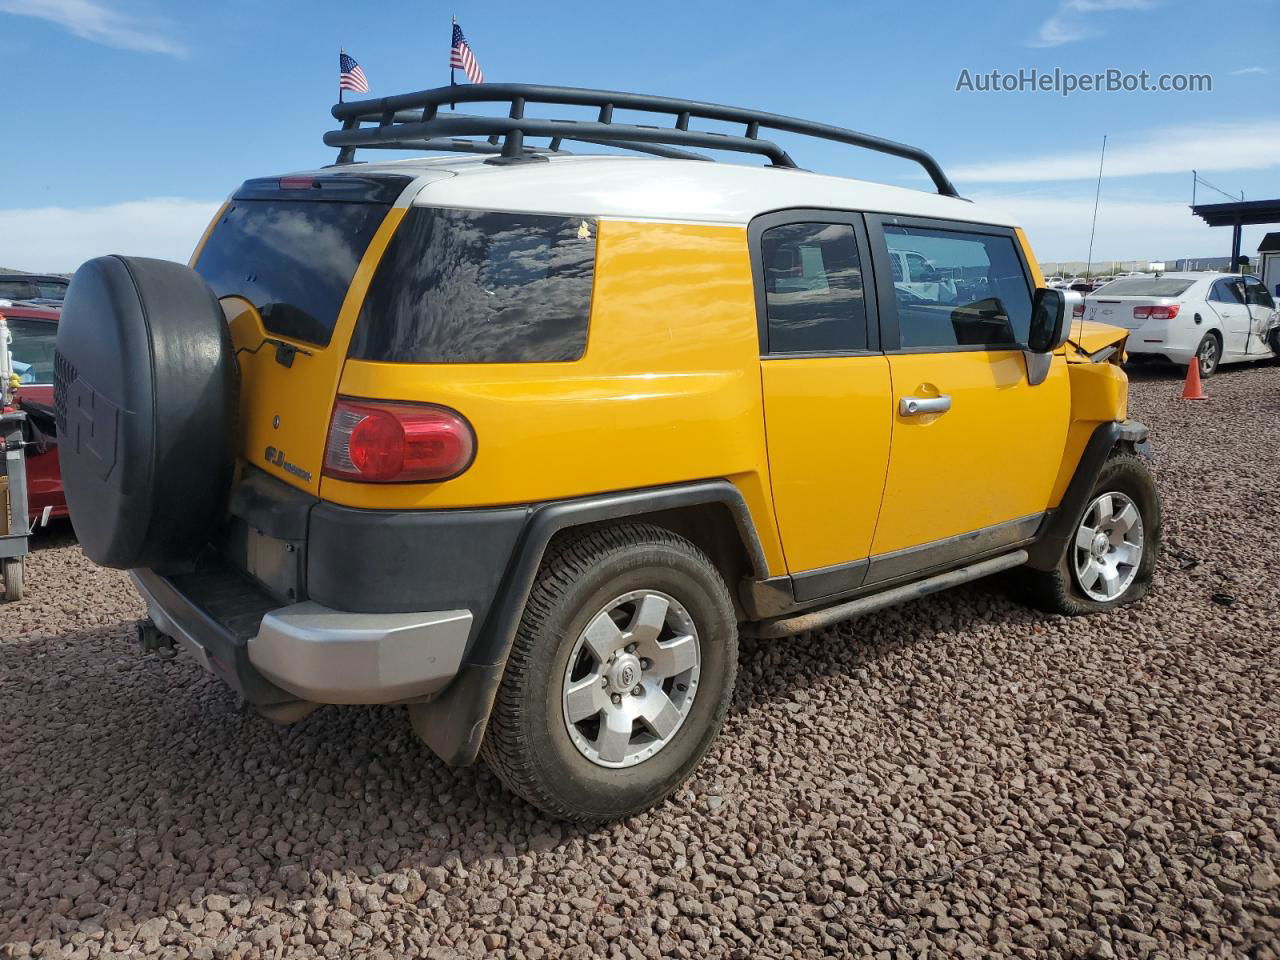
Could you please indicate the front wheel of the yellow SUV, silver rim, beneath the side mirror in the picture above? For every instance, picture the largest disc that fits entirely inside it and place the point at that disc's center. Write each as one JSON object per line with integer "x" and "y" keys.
{"x": 1112, "y": 557}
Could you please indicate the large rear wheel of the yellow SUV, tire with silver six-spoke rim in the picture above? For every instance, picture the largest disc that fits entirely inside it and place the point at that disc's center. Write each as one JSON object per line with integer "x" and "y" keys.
{"x": 531, "y": 743}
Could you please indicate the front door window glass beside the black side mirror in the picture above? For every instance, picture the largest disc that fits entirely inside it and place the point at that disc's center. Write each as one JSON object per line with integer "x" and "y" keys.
{"x": 963, "y": 290}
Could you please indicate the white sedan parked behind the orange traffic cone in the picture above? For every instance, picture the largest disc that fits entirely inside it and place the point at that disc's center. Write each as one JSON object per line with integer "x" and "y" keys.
{"x": 1218, "y": 318}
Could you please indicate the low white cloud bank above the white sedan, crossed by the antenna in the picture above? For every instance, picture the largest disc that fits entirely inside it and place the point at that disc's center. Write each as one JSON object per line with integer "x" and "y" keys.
{"x": 1130, "y": 227}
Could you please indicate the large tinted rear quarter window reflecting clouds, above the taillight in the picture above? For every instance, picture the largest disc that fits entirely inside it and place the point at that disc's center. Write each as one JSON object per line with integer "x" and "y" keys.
{"x": 473, "y": 287}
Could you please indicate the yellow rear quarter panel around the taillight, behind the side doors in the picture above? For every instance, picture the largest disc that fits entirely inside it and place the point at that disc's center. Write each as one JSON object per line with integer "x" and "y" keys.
{"x": 669, "y": 390}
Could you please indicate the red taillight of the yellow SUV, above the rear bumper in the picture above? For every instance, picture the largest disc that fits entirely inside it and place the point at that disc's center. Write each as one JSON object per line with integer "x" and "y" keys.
{"x": 388, "y": 444}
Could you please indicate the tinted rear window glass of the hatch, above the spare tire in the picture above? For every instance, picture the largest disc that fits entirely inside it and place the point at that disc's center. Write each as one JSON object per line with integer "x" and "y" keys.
{"x": 291, "y": 259}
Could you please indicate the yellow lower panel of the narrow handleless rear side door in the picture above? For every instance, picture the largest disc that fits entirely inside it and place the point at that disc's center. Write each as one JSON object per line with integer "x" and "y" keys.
{"x": 829, "y": 423}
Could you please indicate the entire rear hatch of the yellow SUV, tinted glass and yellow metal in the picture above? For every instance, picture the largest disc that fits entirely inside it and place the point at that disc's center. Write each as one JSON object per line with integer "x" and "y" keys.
{"x": 290, "y": 259}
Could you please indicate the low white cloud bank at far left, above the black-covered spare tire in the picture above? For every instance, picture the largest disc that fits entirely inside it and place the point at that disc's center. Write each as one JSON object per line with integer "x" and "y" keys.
{"x": 61, "y": 239}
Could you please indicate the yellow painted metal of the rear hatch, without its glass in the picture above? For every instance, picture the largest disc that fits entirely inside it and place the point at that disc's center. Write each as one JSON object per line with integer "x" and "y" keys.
{"x": 285, "y": 410}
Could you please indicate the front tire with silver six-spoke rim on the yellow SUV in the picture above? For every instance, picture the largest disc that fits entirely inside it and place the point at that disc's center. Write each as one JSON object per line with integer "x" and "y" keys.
{"x": 1060, "y": 591}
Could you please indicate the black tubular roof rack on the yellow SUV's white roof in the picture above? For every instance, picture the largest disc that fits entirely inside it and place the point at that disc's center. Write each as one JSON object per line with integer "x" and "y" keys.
{"x": 415, "y": 122}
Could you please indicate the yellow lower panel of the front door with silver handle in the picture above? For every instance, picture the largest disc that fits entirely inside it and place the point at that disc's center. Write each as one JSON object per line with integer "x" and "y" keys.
{"x": 991, "y": 459}
